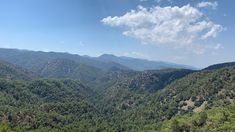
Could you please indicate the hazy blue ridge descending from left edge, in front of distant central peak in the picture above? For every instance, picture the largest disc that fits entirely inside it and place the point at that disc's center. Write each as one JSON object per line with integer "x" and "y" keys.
{"x": 32, "y": 59}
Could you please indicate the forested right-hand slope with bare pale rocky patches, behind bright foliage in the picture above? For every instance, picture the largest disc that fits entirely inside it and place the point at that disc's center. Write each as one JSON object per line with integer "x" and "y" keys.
{"x": 192, "y": 94}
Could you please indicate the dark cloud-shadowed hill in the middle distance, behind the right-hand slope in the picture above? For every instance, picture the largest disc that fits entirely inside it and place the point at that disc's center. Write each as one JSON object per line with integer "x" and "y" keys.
{"x": 151, "y": 81}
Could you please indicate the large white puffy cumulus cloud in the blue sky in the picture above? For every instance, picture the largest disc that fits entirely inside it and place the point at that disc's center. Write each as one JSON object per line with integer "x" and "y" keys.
{"x": 184, "y": 26}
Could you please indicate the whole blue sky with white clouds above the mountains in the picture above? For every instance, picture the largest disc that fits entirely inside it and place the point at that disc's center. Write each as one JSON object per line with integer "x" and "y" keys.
{"x": 191, "y": 32}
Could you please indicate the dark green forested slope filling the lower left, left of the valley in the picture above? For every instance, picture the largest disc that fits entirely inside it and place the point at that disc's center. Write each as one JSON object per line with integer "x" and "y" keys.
{"x": 48, "y": 105}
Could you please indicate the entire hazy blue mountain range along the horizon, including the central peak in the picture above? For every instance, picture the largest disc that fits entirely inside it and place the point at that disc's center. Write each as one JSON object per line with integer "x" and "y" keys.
{"x": 32, "y": 59}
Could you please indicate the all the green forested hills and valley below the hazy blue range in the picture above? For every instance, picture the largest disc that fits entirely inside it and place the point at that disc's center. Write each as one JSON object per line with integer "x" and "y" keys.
{"x": 65, "y": 95}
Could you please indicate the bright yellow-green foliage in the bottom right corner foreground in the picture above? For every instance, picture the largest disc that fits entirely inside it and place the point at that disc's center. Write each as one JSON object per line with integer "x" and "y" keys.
{"x": 216, "y": 119}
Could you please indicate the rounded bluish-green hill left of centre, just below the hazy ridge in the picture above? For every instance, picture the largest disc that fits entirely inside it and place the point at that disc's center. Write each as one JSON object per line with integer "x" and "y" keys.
{"x": 65, "y": 68}
